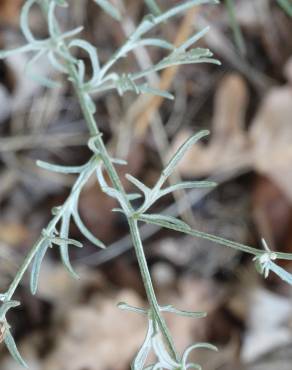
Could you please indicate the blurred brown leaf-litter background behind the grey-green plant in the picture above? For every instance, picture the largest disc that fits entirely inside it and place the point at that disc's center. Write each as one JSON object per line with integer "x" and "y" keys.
{"x": 247, "y": 105}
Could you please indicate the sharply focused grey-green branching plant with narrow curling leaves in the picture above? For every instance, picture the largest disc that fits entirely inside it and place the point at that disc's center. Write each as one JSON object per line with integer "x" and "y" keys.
{"x": 59, "y": 48}
